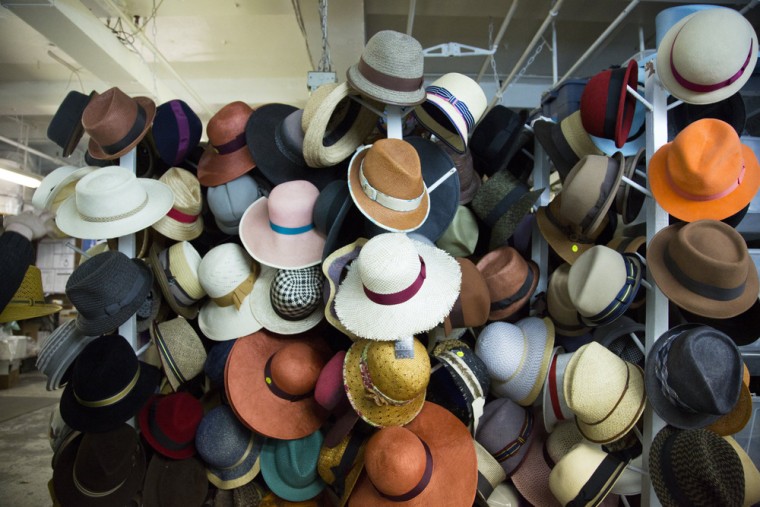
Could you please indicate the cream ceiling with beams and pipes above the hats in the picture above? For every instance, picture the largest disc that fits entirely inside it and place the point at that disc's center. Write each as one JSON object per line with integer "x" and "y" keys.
{"x": 210, "y": 54}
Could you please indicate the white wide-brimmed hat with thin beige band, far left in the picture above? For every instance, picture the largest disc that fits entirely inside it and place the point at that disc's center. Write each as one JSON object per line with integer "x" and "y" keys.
{"x": 112, "y": 202}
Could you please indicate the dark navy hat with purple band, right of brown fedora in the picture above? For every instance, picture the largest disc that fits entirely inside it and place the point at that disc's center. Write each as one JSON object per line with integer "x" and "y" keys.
{"x": 177, "y": 130}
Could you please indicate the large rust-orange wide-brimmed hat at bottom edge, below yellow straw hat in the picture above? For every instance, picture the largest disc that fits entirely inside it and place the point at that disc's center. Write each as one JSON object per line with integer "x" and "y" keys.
{"x": 430, "y": 461}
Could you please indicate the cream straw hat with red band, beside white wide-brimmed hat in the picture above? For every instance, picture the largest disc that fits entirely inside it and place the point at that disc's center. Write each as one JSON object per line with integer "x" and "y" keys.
{"x": 183, "y": 222}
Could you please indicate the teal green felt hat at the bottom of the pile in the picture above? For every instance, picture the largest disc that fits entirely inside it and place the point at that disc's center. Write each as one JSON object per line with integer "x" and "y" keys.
{"x": 289, "y": 467}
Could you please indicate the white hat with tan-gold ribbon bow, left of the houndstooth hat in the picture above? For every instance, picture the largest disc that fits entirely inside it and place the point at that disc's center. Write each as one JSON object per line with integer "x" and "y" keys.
{"x": 227, "y": 274}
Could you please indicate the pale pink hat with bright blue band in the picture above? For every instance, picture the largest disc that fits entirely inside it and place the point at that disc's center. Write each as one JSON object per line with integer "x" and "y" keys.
{"x": 278, "y": 231}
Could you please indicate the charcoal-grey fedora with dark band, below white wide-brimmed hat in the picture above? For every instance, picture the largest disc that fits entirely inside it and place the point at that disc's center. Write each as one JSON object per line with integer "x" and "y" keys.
{"x": 107, "y": 290}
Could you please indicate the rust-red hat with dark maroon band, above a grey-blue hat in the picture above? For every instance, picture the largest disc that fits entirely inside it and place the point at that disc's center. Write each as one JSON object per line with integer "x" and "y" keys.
{"x": 227, "y": 155}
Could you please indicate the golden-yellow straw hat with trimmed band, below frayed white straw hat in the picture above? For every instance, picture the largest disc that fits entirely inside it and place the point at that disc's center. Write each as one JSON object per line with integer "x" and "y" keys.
{"x": 386, "y": 388}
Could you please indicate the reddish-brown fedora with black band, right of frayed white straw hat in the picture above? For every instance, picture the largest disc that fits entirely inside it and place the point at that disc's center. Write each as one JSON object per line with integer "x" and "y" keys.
{"x": 511, "y": 280}
